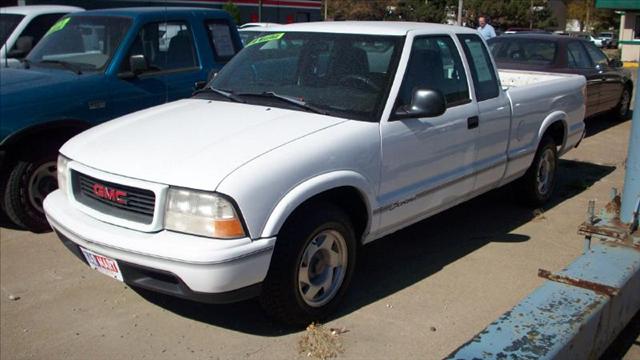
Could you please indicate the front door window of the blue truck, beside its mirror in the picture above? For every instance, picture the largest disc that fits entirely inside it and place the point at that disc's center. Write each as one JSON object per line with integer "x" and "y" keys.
{"x": 166, "y": 46}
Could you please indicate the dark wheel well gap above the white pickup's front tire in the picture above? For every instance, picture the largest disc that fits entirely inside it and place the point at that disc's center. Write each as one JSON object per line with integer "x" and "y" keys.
{"x": 348, "y": 199}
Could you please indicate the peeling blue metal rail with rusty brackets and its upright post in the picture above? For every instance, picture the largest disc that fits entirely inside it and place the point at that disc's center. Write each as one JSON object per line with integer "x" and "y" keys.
{"x": 579, "y": 311}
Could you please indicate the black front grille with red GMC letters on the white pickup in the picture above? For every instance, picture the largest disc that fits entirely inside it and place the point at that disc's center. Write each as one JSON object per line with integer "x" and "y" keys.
{"x": 137, "y": 205}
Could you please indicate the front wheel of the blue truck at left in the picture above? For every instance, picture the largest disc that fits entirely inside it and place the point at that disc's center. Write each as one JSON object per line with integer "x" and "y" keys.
{"x": 28, "y": 184}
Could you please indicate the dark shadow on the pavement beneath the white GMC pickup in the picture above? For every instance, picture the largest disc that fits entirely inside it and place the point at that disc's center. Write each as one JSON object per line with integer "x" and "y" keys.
{"x": 406, "y": 257}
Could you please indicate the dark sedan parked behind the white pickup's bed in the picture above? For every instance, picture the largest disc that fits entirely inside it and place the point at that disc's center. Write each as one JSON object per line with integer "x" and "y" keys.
{"x": 609, "y": 86}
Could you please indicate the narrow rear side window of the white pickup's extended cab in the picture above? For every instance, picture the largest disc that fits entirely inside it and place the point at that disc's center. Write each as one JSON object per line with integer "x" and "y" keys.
{"x": 482, "y": 71}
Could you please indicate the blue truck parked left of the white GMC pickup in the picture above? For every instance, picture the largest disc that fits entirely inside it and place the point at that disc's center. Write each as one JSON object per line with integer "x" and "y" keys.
{"x": 91, "y": 67}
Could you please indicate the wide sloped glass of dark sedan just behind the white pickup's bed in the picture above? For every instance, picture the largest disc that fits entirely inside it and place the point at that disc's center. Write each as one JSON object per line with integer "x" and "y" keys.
{"x": 523, "y": 50}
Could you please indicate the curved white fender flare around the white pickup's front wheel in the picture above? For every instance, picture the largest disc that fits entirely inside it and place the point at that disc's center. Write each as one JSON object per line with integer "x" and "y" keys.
{"x": 314, "y": 186}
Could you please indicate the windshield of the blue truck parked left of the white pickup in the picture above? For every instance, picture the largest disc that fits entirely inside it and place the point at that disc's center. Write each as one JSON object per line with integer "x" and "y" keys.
{"x": 84, "y": 42}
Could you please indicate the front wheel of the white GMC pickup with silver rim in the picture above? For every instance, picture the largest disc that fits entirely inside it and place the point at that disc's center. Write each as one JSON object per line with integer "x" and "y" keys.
{"x": 311, "y": 266}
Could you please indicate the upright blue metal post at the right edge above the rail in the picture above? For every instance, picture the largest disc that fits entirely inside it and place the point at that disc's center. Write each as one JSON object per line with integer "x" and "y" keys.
{"x": 631, "y": 193}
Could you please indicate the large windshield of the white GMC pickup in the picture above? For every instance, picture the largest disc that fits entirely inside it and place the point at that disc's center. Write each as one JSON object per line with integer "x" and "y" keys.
{"x": 343, "y": 75}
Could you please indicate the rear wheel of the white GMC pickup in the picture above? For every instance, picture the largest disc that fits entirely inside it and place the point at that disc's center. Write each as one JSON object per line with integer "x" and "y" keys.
{"x": 537, "y": 184}
